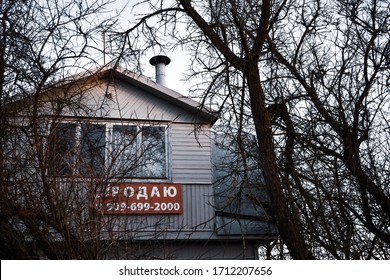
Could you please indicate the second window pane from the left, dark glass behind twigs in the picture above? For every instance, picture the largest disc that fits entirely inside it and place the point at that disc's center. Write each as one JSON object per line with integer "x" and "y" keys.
{"x": 92, "y": 155}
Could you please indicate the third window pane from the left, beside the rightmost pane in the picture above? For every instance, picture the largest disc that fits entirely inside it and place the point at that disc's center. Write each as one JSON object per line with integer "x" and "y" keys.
{"x": 124, "y": 150}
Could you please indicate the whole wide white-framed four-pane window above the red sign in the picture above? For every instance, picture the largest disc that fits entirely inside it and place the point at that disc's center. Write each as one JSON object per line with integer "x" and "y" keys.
{"x": 126, "y": 151}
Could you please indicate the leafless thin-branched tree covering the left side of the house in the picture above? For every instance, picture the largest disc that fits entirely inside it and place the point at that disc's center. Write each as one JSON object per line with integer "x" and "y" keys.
{"x": 47, "y": 206}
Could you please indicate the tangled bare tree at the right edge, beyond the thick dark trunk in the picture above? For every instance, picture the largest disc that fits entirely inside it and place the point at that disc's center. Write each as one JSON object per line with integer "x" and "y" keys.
{"x": 329, "y": 74}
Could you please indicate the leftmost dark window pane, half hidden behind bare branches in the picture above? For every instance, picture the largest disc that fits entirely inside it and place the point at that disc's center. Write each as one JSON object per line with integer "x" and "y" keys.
{"x": 61, "y": 145}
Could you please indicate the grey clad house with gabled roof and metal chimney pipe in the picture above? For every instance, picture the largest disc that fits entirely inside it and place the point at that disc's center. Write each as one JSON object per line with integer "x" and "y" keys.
{"x": 144, "y": 162}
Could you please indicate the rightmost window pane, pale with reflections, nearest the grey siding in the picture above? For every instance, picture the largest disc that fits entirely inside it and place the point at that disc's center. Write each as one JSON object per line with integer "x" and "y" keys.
{"x": 153, "y": 155}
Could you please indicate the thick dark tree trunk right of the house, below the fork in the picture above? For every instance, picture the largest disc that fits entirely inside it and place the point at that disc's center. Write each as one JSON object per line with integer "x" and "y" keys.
{"x": 287, "y": 219}
